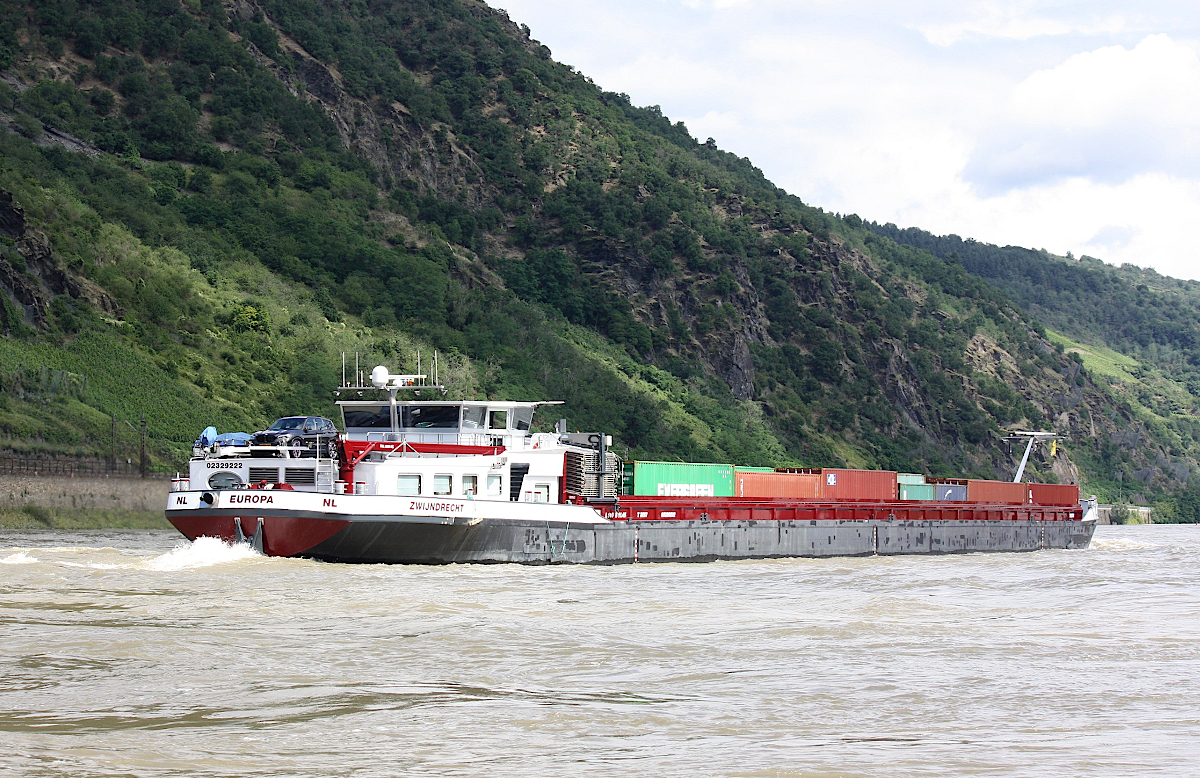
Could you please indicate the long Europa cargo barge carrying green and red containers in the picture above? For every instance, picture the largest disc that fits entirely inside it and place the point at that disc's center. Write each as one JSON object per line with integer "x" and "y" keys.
{"x": 427, "y": 481}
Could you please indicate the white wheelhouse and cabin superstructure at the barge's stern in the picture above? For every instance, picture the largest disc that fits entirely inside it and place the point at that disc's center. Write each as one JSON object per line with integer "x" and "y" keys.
{"x": 430, "y": 448}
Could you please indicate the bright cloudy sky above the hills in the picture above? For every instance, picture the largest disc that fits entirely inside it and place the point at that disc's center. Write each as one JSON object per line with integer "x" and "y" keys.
{"x": 1072, "y": 127}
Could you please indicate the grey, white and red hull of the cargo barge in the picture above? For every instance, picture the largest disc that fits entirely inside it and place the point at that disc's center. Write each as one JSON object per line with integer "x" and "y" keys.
{"x": 553, "y": 535}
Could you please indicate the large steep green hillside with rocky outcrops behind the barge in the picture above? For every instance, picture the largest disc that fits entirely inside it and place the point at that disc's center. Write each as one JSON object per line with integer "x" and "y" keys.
{"x": 211, "y": 201}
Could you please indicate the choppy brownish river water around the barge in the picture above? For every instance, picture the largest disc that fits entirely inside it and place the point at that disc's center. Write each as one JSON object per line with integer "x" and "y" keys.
{"x": 137, "y": 654}
